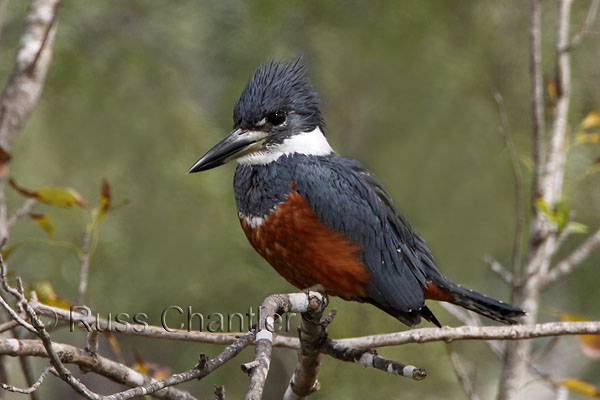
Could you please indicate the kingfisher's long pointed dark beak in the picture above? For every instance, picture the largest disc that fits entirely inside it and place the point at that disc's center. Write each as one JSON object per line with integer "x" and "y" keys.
{"x": 237, "y": 144}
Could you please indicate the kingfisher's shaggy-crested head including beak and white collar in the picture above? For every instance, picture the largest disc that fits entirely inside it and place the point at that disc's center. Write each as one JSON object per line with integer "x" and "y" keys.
{"x": 278, "y": 113}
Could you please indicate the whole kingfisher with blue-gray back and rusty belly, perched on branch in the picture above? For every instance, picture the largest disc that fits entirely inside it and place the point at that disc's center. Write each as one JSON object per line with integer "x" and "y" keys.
{"x": 323, "y": 220}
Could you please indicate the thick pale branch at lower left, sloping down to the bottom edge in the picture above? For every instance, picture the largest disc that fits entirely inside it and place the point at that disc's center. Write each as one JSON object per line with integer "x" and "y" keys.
{"x": 99, "y": 365}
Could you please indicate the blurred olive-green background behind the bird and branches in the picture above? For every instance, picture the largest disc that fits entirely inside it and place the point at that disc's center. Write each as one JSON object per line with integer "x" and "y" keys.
{"x": 138, "y": 90}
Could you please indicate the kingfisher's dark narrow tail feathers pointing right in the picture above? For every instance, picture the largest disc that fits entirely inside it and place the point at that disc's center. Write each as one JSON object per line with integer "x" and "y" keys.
{"x": 477, "y": 302}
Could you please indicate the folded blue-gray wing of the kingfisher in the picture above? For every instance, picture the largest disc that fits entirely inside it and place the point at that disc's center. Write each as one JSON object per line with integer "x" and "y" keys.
{"x": 348, "y": 198}
